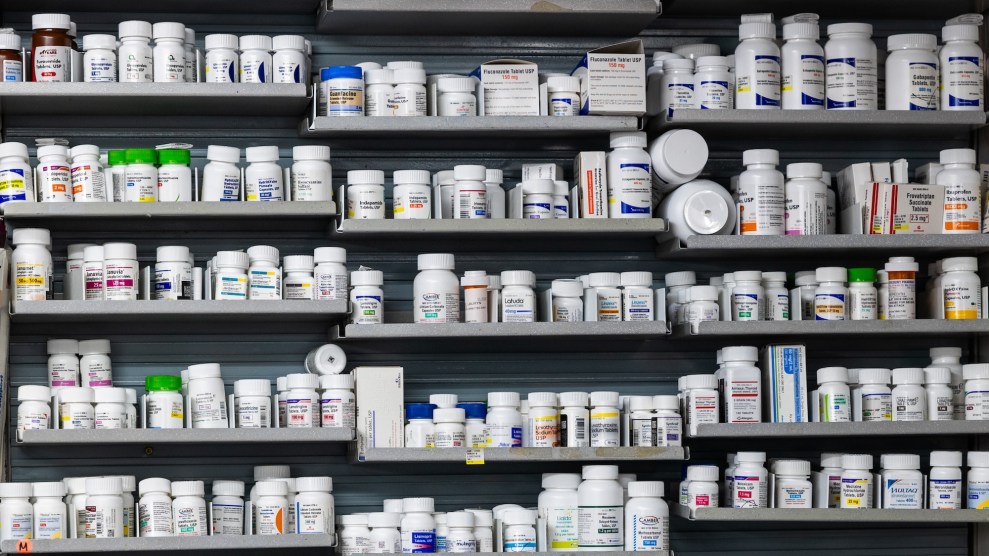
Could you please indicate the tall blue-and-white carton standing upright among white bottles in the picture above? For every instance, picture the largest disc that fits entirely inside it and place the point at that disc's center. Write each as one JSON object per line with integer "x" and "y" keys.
{"x": 784, "y": 369}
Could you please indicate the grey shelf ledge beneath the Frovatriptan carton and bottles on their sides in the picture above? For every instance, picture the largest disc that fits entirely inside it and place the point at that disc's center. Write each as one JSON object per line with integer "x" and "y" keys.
{"x": 776, "y": 247}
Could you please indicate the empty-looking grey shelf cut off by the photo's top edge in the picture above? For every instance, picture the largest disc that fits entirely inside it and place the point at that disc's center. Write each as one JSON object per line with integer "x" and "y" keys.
{"x": 612, "y": 18}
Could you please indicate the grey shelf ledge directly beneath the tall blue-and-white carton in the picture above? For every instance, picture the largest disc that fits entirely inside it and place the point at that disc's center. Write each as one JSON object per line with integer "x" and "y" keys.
{"x": 843, "y": 430}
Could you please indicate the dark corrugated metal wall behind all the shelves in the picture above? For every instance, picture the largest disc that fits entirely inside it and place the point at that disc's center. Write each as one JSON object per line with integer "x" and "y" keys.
{"x": 259, "y": 349}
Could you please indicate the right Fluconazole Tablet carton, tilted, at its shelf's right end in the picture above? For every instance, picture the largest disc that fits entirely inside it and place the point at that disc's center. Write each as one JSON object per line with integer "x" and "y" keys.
{"x": 613, "y": 80}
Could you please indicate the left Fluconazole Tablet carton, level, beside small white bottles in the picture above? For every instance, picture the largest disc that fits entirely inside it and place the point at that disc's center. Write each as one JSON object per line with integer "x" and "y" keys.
{"x": 508, "y": 88}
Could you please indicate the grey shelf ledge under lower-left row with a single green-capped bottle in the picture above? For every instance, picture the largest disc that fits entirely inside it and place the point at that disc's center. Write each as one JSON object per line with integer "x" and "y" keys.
{"x": 185, "y": 436}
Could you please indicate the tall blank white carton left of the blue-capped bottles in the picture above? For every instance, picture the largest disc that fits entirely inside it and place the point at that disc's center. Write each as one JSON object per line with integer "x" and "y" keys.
{"x": 379, "y": 393}
